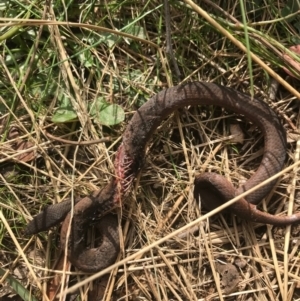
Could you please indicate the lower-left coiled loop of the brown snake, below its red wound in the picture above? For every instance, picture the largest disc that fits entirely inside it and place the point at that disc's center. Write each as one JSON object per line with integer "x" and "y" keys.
{"x": 94, "y": 259}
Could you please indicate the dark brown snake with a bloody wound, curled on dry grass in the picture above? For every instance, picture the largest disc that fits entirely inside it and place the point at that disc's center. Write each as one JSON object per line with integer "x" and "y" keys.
{"x": 213, "y": 189}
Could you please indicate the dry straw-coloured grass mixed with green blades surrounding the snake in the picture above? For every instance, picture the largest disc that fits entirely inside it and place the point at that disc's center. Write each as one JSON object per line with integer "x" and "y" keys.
{"x": 43, "y": 64}
